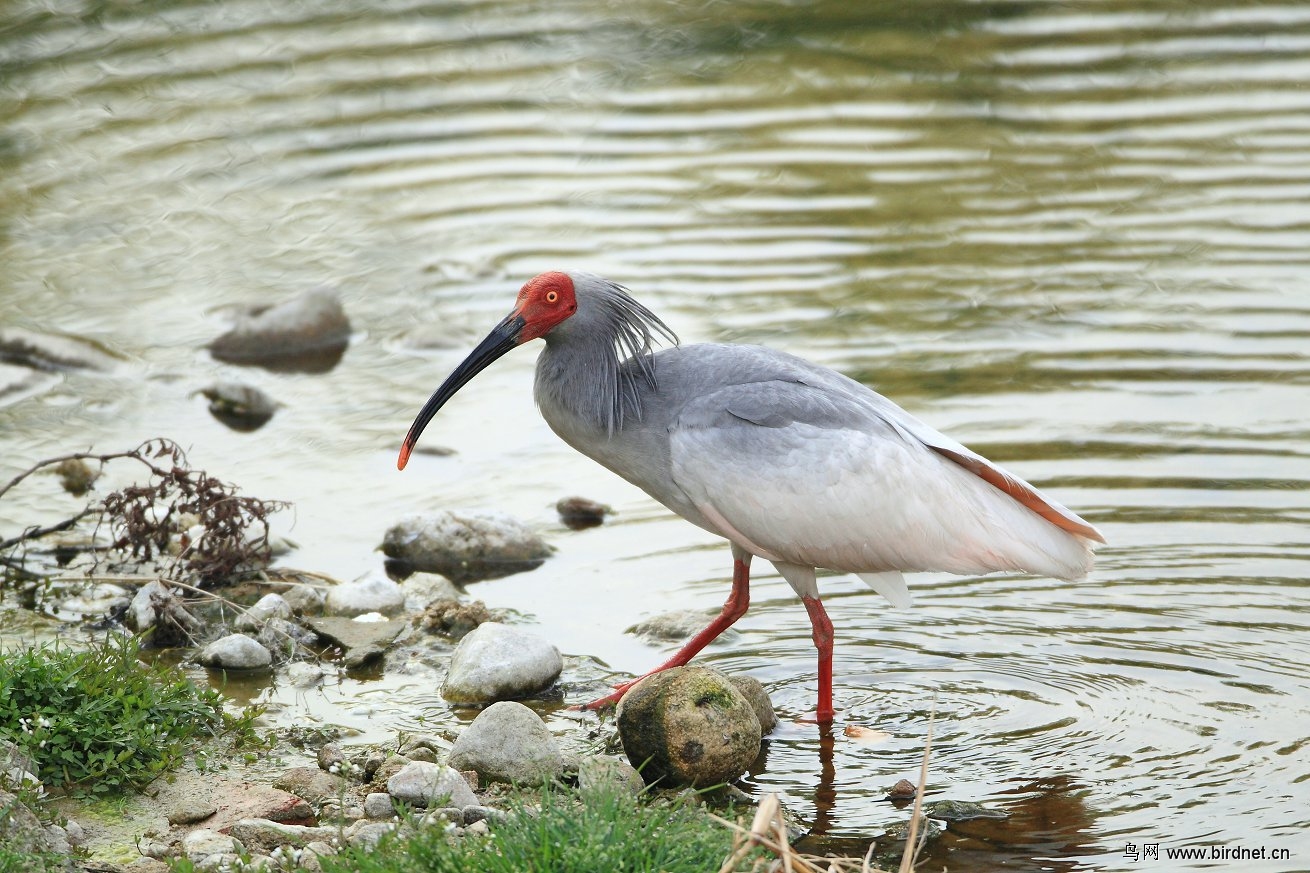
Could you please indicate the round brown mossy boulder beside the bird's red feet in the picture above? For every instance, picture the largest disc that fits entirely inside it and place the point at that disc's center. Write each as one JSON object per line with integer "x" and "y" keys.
{"x": 688, "y": 727}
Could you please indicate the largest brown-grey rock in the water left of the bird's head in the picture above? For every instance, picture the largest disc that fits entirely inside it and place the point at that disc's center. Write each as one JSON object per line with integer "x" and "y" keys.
{"x": 309, "y": 334}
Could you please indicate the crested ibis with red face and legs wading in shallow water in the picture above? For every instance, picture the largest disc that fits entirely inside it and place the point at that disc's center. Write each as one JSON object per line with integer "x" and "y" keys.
{"x": 787, "y": 461}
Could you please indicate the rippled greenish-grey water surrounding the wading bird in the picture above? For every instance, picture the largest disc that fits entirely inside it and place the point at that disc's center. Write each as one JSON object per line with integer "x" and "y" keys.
{"x": 1075, "y": 238}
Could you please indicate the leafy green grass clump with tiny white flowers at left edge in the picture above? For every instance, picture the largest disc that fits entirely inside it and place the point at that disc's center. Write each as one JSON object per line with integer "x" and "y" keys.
{"x": 102, "y": 722}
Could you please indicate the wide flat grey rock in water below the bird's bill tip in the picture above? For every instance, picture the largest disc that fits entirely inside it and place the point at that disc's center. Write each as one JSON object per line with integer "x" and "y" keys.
{"x": 464, "y": 547}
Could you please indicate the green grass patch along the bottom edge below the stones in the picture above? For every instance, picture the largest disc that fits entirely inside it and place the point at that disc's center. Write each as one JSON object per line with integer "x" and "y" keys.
{"x": 606, "y": 832}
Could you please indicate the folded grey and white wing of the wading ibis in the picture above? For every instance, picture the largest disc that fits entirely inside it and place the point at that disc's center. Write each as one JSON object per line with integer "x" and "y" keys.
{"x": 817, "y": 475}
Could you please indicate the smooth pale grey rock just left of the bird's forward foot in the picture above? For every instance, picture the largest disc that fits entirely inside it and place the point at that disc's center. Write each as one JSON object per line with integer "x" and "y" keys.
{"x": 498, "y": 663}
